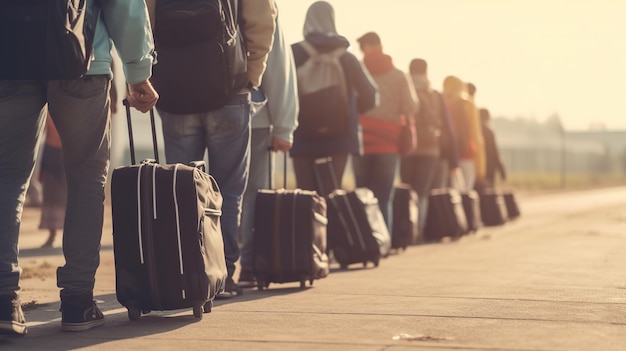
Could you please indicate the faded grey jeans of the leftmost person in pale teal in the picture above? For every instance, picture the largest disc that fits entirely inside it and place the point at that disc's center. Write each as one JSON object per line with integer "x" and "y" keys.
{"x": 80, "y": 110}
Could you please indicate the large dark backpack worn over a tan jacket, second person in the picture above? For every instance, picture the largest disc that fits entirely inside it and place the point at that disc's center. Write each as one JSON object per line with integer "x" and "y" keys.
{"x": 201, "y": 56}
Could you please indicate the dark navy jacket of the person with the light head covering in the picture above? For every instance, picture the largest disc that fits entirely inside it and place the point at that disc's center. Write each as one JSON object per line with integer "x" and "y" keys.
{"x": 363, "y": 96}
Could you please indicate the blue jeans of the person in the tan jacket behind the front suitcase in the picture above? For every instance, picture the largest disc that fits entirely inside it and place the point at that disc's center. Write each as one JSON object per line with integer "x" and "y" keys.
{"x": 225, "y": 135}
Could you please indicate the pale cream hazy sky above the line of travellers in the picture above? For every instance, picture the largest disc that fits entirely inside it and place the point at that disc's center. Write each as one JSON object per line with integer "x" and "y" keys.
{"x": 531, "y": 58}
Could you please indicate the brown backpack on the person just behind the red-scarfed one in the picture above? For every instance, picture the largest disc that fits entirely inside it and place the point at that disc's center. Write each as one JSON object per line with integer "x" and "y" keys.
{"x": 427, "y": 120}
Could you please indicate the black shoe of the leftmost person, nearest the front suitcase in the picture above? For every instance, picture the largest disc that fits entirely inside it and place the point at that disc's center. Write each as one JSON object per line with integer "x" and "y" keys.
{"x": 80, "y": 313}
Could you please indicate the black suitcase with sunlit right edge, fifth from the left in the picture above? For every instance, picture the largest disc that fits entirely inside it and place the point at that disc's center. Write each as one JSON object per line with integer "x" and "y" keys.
{"x": 445, "y": 217}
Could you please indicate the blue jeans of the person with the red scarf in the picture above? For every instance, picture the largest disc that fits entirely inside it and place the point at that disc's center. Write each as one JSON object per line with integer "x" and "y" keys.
{"x": 378, "y": 172}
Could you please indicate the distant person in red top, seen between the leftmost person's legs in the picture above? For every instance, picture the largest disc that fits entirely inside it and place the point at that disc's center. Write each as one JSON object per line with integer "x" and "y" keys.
{"x": 52, "y": 179}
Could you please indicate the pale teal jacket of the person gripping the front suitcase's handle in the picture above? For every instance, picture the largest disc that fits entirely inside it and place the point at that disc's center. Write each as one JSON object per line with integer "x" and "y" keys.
{"x": 125, "y": 23}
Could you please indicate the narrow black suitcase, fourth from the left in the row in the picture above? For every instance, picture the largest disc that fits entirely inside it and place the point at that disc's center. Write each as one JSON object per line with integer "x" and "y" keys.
{"x": 405, "y": 215}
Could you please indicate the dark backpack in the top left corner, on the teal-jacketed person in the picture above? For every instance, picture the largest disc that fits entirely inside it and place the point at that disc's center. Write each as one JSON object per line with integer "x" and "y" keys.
{"x": 46, "y": 39}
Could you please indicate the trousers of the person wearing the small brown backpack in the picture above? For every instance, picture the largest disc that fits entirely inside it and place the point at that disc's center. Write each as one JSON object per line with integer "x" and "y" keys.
{"x": 419, "y": 172}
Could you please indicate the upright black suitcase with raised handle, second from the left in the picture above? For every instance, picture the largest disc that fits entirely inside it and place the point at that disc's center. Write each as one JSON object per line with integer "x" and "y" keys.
{"x": 289, "y": 236}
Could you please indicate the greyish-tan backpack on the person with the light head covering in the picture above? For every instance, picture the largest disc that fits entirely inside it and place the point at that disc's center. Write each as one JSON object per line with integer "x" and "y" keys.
{"x": 323, "y": 95}
